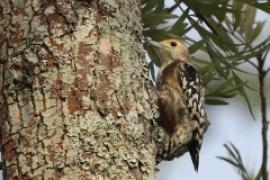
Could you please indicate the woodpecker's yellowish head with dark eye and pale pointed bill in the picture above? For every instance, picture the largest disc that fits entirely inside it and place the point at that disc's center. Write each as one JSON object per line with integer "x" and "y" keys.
{"x": 171, "y": 50}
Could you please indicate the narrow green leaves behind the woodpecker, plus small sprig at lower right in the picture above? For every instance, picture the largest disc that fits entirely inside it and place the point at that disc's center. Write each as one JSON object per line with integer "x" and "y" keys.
{"x": 228, "y": 33}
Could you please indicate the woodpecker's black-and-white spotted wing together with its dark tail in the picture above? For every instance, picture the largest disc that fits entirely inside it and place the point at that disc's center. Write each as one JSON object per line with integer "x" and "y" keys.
{"x": 191, "y": 86}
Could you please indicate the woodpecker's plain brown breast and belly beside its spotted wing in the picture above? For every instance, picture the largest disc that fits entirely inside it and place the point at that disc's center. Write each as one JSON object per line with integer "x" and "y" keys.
{"x": 172, "y": 106}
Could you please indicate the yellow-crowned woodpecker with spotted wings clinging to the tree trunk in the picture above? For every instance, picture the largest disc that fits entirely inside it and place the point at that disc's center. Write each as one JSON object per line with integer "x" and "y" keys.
{"x": 180, "y": 98}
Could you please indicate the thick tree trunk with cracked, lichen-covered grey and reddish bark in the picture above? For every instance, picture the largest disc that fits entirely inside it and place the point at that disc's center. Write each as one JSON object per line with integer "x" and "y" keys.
{"x": 74, "y": 102}
